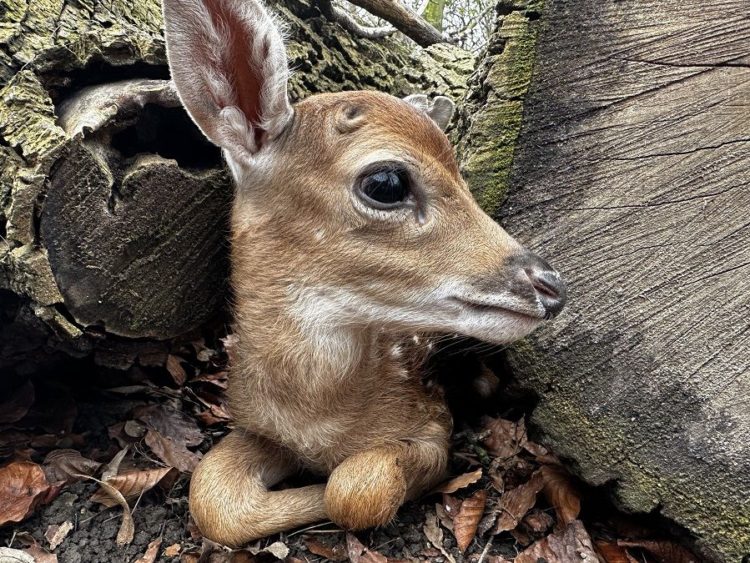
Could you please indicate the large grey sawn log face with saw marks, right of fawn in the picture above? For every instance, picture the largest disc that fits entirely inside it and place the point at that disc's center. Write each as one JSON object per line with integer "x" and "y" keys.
{"x": 632, "y": 174}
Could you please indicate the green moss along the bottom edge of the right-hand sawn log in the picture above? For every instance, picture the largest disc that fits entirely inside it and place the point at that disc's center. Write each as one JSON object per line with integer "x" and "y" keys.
{"x": 605, "y": 451}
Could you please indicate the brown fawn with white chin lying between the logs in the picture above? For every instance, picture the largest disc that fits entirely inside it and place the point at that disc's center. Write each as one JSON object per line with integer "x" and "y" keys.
{"x": 351, "y": 228}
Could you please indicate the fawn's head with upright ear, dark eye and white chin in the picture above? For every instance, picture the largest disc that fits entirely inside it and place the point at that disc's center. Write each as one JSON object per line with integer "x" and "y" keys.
{"x": 352, "y": 202}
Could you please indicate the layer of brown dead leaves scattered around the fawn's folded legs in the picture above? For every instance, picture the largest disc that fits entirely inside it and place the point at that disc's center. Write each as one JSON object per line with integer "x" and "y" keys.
{"x": 510, "y": 499}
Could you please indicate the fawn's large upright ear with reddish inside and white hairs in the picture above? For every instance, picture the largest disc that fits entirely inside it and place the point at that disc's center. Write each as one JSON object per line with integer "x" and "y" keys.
{"x": 229, "y": 65}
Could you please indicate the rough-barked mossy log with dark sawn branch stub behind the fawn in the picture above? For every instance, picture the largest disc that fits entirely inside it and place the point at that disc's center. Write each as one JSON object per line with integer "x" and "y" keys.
{"x": 113, "y": 209}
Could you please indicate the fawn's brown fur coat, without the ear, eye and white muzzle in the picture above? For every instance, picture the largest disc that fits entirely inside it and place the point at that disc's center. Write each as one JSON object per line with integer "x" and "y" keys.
{"x": 336, "y": 398}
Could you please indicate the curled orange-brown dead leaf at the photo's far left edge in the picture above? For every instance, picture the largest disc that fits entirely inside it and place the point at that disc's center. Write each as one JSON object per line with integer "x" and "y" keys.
{"x": 23, "y": 486}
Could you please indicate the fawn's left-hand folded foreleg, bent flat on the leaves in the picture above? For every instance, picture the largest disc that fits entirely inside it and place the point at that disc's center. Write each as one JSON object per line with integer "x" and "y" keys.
{"x": 229, "y": 496}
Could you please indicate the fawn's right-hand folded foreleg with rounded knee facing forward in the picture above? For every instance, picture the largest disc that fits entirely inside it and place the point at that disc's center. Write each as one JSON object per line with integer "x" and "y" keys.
{"x": 367, "y": 488}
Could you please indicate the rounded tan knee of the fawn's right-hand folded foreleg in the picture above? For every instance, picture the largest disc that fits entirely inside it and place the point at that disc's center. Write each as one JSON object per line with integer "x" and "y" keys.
{"x": 365, "y": 491}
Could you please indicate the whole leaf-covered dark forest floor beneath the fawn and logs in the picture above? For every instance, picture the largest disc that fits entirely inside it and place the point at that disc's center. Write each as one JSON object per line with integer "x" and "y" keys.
{"x": 97, "y": 463}
